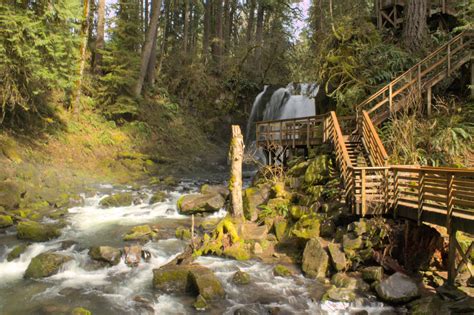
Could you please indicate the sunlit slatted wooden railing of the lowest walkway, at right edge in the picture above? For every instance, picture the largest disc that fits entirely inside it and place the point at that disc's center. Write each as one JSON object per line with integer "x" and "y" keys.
{"x": 447, "y": 191}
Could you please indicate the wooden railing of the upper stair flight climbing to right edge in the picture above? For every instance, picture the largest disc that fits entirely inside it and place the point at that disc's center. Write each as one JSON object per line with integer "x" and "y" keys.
{"x": 435, "y": 67}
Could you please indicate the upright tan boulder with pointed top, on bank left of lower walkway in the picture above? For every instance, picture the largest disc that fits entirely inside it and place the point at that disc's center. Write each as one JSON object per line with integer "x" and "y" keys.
{"x": 315, "y": 259}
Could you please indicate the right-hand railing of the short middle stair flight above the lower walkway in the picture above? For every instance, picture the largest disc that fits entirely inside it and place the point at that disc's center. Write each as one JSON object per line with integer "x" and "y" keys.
{"x": 371, "y": 141}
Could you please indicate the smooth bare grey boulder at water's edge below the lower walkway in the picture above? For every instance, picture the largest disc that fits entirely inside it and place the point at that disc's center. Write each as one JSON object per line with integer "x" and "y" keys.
{"x": 398, "y": 288}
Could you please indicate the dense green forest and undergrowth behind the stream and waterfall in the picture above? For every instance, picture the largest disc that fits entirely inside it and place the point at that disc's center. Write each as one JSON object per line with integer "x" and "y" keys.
{"x": 98, "y": 80}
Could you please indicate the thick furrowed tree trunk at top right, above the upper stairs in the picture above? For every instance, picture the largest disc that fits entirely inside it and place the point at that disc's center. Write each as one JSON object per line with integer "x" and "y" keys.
{"x": 415, "y": 30}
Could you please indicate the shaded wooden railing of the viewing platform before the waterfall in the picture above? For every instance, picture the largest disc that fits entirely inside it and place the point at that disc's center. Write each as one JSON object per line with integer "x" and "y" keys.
{"x": 305, "y": 131}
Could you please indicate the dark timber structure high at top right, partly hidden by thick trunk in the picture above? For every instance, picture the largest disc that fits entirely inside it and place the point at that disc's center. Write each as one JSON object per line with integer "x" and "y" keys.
{"x": 389, "y": 13}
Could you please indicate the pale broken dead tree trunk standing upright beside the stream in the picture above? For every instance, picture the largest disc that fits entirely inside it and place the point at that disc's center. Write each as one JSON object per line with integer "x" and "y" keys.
{"x": 236, "y": 156}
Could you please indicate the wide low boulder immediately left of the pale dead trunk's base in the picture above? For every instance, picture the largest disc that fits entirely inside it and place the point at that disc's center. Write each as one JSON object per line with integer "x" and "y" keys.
{"x": 199, "y": 203}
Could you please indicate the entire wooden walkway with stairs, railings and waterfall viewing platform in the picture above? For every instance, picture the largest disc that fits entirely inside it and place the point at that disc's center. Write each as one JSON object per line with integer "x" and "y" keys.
{"x": 436, "y": 195}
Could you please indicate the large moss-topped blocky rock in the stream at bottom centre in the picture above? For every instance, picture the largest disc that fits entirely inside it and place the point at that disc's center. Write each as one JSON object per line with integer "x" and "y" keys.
{"x": 194, "y": 279}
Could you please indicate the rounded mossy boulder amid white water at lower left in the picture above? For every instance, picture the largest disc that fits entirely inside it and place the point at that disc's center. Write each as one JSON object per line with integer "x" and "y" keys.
{"x": 45, "y": 265}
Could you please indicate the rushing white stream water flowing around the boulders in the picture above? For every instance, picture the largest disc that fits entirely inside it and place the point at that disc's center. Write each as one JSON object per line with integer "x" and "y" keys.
{"x": 124, "y": 290}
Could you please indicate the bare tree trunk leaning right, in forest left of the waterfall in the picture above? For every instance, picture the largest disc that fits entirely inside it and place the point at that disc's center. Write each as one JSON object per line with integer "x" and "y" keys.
{"x": 148, "y": 46}
